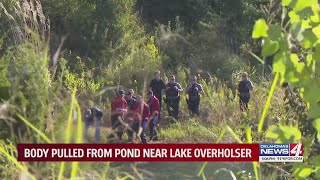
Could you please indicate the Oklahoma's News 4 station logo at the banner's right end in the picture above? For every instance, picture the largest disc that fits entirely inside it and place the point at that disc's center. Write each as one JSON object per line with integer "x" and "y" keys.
{"x": 281, "y": 153}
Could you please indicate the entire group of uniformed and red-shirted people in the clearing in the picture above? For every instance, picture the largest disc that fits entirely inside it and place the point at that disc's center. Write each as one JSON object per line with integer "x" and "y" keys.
{"x": 131, "y": 114}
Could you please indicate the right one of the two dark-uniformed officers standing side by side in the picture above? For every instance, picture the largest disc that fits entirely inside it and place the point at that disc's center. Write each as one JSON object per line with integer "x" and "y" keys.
{"x": 193, "y": 90}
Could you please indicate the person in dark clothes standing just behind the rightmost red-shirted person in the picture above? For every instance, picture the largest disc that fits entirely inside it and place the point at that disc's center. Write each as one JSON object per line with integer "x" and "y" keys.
{"x": 157, "y": 85}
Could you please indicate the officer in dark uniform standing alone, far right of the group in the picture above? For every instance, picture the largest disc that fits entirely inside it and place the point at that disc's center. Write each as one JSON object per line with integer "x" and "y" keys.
{"x": 244, "y": 88}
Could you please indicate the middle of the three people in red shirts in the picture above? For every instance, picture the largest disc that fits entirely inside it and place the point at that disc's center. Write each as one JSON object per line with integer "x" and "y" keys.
{"x": 139, "y": 117}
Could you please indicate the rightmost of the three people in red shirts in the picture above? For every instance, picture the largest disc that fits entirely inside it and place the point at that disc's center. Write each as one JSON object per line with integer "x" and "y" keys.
{"x": 154, "y": 106}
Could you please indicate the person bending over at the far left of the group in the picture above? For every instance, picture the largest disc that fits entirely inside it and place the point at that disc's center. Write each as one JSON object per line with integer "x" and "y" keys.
{"x": 93, "y": 116}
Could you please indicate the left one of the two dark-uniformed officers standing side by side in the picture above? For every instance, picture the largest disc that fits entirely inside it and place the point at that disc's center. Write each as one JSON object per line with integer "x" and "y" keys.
{"x": 173, "y": 90}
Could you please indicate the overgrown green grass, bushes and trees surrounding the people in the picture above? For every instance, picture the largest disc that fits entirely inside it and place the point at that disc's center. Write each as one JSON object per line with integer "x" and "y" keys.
{"x": 59, "y": 57}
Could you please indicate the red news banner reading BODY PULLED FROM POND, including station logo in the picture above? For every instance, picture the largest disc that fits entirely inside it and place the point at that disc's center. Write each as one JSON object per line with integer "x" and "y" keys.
{"x": 161, "y": 152}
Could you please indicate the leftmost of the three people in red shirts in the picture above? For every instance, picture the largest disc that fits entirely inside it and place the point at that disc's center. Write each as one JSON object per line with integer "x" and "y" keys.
{"x": 118, "y": 108}
